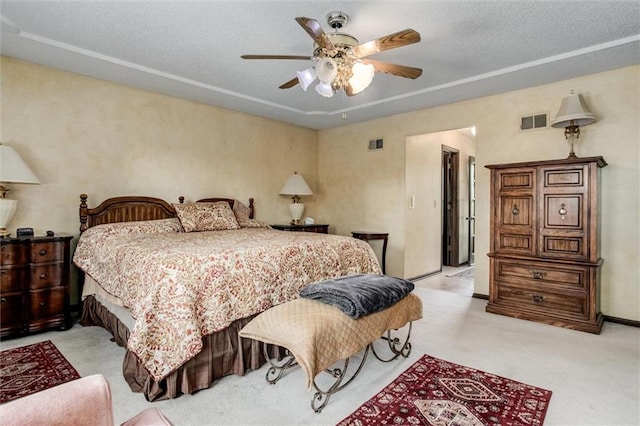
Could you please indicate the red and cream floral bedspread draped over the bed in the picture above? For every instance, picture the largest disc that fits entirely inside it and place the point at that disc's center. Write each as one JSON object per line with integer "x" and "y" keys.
{"x": 181, "y": 286}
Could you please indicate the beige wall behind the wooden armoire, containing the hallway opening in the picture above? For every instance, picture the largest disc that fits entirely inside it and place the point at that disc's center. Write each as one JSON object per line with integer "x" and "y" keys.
{"x": 367, "y": 190}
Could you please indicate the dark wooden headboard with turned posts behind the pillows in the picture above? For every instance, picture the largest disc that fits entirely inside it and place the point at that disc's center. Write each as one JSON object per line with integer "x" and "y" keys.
{"x": 135, "y": 208}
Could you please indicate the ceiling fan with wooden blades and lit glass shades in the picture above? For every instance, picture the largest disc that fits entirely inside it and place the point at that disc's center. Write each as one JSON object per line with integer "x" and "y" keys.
{"x": 341, "y": 62}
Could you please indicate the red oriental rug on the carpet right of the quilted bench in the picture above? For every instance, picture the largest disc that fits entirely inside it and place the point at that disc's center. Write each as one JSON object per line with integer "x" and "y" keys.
{"x": 437, "y": 392}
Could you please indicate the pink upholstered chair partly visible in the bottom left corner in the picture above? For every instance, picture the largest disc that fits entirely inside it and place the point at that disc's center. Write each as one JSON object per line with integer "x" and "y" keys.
{"x": 86, "y": 401}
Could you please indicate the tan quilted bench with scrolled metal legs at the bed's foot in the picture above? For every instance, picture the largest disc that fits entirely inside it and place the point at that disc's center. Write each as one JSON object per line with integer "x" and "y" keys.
{"x": 317, "y": 335}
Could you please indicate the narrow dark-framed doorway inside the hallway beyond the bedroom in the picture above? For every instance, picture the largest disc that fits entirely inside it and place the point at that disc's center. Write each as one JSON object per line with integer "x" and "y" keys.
{"x": 450, "y": 236}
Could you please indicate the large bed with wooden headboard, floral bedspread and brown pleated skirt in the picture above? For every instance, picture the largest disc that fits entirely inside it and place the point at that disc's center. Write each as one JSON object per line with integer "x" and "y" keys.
{"x": 175, "y": 292}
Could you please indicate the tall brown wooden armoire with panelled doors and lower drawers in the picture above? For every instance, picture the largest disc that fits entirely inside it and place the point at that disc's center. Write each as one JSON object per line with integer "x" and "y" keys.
{"x": 545, "y": 259}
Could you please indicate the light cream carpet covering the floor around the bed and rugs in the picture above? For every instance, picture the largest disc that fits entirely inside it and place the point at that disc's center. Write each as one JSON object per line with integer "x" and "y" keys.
{"x": 594, "y": 378}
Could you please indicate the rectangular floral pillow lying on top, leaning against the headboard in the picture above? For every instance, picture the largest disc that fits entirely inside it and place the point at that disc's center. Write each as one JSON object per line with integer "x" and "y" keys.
{"x": 196, "y": 217}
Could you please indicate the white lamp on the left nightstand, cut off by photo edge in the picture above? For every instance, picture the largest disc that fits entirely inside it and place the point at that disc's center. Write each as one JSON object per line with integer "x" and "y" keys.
{"x": 12, "y": 170}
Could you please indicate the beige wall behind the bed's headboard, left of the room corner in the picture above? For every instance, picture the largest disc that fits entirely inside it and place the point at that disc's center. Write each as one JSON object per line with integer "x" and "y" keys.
{"x": 80, "y": 135}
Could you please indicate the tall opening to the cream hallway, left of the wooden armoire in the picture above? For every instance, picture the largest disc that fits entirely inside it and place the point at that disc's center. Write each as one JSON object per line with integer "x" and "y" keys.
{"x": 437, "y": 201}
